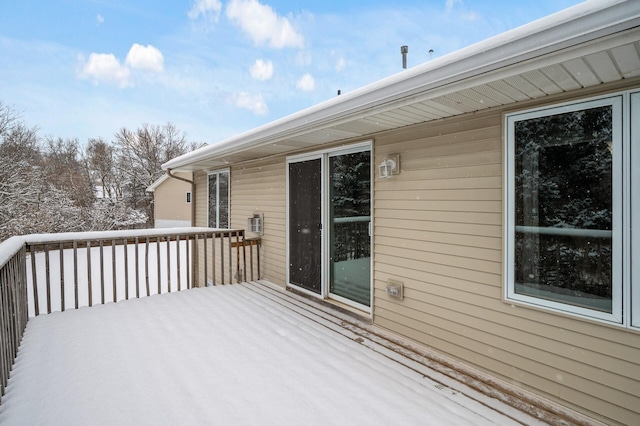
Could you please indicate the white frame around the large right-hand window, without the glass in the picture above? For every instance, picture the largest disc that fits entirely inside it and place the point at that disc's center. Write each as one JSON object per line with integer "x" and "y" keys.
{"x": 621, "y": 253}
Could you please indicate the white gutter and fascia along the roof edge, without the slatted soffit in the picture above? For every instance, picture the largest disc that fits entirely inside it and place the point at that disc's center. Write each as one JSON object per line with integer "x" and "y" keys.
{"x": 552, "y": 38}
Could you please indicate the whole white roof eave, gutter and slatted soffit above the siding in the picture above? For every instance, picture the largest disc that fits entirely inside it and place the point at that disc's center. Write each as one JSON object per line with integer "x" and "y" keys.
{"x": 592, "y": 43}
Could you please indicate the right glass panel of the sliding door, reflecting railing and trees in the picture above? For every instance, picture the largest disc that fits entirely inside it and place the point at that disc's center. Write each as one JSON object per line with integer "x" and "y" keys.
{"x": 349, "y": 223}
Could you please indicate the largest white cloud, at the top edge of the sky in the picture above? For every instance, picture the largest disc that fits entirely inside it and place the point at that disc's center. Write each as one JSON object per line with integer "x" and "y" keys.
{"x": 263, "y": 24}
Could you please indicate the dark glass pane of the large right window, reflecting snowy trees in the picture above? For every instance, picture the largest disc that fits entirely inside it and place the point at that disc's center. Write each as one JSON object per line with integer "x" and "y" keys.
{"x": 563, "y": 207}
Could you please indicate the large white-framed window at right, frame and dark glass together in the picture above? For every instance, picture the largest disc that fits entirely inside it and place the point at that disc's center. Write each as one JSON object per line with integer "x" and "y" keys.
{"x": 569, "y": 200}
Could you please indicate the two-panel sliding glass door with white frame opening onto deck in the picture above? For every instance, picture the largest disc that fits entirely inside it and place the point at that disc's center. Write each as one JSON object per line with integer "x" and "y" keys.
{"x": 329, "y": 223}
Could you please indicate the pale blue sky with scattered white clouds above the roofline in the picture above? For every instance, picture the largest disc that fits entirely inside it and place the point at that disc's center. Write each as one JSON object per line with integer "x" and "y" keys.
{"x": 216, "y": 68}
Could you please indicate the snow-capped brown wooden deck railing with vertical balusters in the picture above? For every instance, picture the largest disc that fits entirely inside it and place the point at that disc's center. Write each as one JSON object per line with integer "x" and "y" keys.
{"x": 54, "y": 272}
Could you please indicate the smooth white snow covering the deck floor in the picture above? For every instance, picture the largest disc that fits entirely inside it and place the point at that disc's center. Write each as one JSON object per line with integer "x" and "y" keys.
{"x": 216, "y": 355}
